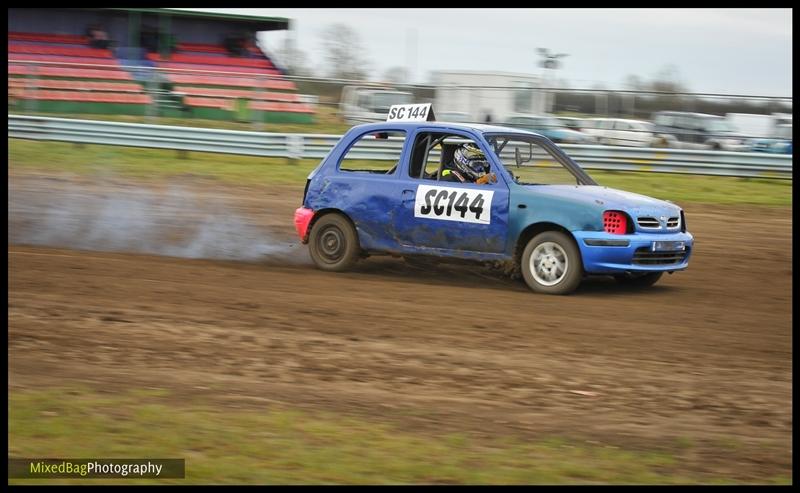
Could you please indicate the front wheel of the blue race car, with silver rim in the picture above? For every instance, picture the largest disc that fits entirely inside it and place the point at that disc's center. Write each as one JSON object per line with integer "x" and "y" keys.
{"x": 551, "y": 263}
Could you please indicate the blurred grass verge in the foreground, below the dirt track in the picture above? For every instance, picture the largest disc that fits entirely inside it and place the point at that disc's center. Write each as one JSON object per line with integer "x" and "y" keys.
{"x": 279, "y": 446}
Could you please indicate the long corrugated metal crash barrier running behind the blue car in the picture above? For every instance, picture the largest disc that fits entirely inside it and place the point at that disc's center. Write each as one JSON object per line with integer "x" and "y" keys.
{"x": 317, "y": 146}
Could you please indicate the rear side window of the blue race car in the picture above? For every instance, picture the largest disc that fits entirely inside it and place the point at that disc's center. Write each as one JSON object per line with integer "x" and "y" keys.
{"x": 375, "y": 152}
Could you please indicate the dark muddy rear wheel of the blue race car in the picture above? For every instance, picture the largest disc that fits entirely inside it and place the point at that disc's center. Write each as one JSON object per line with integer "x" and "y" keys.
{"x": 333, "y": 243}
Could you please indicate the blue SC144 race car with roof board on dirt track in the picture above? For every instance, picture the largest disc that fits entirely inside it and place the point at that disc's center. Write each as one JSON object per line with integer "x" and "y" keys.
{"x": 386, "y": 188}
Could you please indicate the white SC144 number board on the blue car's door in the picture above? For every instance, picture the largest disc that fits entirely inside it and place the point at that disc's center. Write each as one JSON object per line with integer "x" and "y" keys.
{"x": 454, "y": 204}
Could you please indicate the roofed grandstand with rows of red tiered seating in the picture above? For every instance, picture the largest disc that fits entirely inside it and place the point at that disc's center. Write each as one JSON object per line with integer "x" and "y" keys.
{"x": 158, "y": 61}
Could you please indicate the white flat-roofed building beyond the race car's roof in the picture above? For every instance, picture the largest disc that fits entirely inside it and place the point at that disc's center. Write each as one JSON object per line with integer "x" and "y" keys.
{"x": 487, "y": 95}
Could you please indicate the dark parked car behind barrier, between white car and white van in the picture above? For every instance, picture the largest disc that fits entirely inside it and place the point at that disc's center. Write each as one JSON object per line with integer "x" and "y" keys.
{"x": 697, "y": 131}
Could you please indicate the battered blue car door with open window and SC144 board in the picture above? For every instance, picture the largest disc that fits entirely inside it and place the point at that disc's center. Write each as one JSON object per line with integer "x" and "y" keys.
{"x": 435, "y": 216}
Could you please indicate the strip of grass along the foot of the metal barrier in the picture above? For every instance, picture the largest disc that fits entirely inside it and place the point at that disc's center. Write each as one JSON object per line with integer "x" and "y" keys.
{"x": 160, "y": 164}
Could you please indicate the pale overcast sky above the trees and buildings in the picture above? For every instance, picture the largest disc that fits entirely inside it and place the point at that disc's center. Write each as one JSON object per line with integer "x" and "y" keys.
{"x": 730, "y": 51}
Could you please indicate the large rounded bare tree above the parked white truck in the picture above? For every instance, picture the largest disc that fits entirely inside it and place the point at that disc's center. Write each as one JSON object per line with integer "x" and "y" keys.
{"x": 344, "y": 53}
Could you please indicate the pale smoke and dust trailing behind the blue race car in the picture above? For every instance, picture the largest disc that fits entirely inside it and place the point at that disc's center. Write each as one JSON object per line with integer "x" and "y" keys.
{"x": 173, "y": 221}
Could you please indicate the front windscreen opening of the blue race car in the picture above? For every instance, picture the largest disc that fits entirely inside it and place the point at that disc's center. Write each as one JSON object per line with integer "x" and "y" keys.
{"x": 529, "y": 160}
